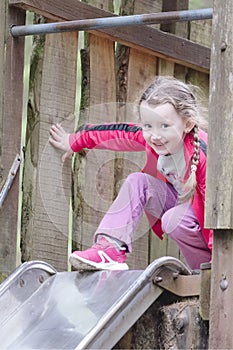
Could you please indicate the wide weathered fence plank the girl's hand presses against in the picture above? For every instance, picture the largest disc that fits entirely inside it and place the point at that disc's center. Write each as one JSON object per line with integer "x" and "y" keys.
{"x": 57, "y": 103}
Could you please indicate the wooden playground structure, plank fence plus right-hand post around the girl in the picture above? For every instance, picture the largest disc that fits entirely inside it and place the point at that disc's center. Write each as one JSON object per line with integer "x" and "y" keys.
{"x": 116, "y": 64}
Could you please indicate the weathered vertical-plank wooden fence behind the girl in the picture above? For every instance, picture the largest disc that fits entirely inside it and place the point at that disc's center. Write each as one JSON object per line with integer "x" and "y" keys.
{"x": 62, "y": 204}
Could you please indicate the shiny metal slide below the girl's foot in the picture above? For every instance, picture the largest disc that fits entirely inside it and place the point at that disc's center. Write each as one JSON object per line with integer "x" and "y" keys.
{"x": 41, "y": 308}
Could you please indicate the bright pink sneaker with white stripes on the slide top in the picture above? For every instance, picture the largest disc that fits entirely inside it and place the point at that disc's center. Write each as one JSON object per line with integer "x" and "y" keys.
{"x": 102, "y": 255}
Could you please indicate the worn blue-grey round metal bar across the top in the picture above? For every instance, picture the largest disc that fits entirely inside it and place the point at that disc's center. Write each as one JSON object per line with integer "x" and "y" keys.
{"x": 116, "y": 21}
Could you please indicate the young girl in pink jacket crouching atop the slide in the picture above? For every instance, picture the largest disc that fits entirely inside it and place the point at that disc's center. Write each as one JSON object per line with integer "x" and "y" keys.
{"x": 170, "y": 188}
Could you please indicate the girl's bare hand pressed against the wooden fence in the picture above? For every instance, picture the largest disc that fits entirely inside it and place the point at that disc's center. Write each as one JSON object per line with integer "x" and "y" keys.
{"x": 59, "y": 138}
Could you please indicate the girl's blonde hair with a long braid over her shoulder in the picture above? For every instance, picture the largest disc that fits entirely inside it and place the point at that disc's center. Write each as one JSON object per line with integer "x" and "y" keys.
{"x": 183, "y": 97}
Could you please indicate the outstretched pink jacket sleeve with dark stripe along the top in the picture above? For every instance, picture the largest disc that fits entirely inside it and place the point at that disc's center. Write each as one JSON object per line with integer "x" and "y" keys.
{"x": 115, "y": 137}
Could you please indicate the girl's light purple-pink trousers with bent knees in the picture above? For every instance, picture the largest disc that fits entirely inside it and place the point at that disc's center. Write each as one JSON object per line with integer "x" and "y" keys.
{"x": 143, "y": 192}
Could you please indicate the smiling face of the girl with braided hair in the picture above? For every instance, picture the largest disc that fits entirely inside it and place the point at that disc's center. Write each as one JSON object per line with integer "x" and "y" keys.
{"x": 163, "y": 128}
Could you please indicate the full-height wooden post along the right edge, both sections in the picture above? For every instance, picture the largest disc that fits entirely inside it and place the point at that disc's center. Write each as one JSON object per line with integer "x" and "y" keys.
{"x": 220, "y": 176}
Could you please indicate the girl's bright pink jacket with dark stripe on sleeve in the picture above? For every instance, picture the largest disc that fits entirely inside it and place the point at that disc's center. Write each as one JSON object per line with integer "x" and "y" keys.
{"x": 128, "y": 137}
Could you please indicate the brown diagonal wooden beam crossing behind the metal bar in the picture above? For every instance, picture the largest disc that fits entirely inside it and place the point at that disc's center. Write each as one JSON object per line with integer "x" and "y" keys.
{"x": 161, "y": 44}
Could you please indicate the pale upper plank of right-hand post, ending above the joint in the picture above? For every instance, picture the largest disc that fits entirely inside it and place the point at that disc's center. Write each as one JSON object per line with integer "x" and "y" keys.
{"x": 219, "y": 192}
